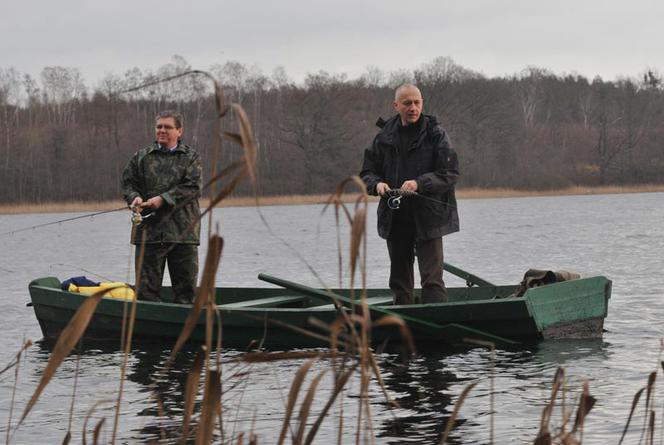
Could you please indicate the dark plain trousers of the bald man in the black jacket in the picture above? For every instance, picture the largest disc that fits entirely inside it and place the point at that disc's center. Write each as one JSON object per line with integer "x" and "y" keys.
{"x": 403, "y": 249}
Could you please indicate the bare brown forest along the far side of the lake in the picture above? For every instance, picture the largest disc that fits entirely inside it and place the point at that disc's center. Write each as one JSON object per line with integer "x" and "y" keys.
{"x": 64, "y": 140}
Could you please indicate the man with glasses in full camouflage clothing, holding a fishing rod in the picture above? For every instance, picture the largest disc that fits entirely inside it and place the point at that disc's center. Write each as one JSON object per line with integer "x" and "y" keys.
{"x": 163, "y": 180}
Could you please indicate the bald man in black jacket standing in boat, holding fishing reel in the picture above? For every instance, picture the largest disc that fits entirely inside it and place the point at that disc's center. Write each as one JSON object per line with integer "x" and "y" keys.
{"x": 412, "y": 152}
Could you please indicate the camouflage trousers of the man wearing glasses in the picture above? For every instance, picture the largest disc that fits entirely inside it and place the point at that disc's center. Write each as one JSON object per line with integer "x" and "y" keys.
{"x": 182, "y": 262}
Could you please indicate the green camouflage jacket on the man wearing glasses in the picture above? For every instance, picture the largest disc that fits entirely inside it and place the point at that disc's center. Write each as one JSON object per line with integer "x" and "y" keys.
{"x": 176, "y": 177}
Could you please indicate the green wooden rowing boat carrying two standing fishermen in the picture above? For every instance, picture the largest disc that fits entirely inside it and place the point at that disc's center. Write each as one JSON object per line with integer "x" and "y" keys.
{"x": 295, "y": 316}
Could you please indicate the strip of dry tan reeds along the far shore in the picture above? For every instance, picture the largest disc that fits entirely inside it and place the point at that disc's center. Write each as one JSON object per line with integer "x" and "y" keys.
{"x": 464, "y": 193}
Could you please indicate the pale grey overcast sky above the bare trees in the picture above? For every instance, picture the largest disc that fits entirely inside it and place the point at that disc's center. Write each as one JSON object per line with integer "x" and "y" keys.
{"x": 609, "y": 38}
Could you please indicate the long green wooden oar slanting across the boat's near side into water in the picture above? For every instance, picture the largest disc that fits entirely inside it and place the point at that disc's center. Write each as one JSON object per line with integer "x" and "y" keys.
{"x": 452, "y": 333}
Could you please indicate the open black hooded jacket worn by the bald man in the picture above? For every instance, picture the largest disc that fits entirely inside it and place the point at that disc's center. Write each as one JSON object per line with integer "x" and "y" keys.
{"x": 437, "y": 170}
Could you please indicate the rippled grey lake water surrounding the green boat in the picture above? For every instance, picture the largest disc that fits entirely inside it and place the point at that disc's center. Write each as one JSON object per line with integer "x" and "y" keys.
{"x": 618, "y": 236}
